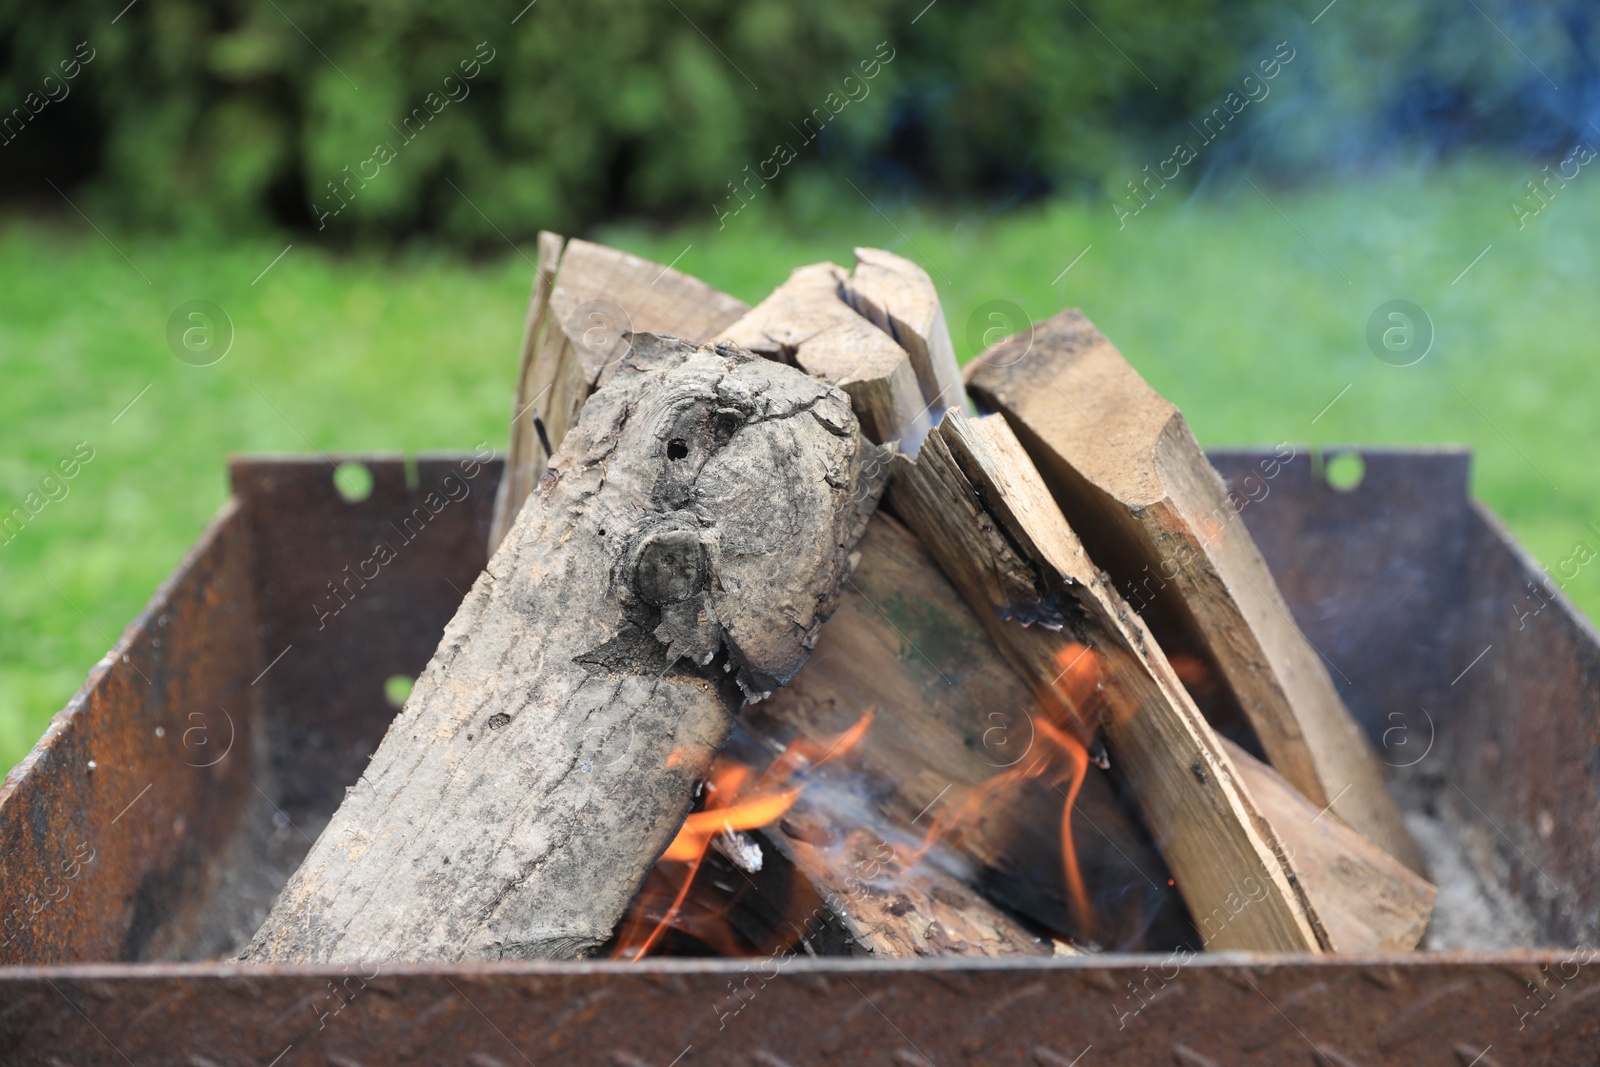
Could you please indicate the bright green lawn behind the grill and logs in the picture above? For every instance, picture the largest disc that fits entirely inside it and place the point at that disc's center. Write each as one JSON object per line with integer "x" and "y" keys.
{"x": 1249, "y": 319}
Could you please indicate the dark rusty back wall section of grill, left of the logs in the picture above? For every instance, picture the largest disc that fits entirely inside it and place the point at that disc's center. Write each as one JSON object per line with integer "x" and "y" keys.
{"x": 353, "y": 594}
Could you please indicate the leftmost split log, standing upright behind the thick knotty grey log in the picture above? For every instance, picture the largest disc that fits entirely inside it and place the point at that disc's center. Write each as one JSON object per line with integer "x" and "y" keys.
{"x": 575, "y": 337}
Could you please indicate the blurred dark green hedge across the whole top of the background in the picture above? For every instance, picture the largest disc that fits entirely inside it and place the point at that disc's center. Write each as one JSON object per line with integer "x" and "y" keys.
{"x": 236, "y": 113}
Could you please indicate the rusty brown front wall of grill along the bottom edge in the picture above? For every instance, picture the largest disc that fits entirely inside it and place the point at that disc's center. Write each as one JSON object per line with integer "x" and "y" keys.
{"x": 1090, "y": 1013}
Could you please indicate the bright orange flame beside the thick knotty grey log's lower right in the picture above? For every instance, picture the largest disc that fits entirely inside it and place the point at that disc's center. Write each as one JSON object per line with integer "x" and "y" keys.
{"x": 732, "y": 804}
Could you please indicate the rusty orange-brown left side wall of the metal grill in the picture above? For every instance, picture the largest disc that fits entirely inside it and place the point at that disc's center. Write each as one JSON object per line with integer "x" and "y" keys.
{"x": 114, "y": 828}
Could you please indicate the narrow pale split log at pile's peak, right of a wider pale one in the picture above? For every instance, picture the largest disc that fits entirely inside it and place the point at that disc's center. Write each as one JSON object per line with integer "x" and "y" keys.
{"x": 900, "y": 298}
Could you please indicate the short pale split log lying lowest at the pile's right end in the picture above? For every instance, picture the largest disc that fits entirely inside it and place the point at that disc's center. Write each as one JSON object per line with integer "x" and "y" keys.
{"x": 1367, "y": 900}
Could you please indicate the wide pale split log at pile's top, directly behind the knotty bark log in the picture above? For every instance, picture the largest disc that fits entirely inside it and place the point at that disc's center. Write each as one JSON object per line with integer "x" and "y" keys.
{"x": 807, "y": 324}
